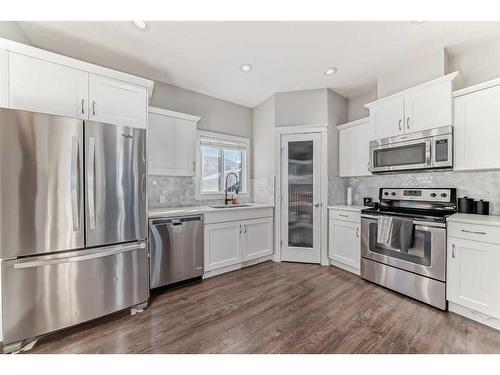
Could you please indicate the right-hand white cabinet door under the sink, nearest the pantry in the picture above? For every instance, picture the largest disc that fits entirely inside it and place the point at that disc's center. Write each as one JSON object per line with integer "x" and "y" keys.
{"x": 258, "y": 238}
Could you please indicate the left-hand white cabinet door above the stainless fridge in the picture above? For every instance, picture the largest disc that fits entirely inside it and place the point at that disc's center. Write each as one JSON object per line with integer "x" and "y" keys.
{"x": 40, "y": 86}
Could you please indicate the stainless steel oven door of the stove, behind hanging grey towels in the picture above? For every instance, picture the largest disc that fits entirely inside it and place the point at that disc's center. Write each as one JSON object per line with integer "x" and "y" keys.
{"x": 426, "y": 257}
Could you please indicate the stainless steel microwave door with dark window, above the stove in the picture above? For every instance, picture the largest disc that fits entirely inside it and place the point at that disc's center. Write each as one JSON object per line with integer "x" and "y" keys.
{"x": 407, "y": 155}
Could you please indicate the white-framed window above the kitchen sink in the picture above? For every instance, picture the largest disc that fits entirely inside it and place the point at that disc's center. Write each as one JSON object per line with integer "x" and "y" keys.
{"x": 218, "y": 156}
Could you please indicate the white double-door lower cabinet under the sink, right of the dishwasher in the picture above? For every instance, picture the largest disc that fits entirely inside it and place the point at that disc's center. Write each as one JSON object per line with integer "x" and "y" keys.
{"x": 229, "y": 244}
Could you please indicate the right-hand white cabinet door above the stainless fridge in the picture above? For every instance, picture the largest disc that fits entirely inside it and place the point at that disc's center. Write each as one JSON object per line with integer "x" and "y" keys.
{"x": 117, "y": 102}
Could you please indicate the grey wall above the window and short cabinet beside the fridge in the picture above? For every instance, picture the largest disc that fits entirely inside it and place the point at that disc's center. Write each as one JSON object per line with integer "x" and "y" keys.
{"x": 216, "y": 115}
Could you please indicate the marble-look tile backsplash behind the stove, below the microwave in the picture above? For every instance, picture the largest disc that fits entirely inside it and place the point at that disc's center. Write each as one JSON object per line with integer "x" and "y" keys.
{"x": 478, "y": 185}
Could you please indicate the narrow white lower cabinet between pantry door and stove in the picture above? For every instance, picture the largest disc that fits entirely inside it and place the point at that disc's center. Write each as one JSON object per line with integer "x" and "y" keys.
{"x": 344, "y": 240}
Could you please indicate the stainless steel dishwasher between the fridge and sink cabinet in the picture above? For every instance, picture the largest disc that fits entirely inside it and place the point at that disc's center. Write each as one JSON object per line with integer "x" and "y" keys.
{"x": 176, "y": 247}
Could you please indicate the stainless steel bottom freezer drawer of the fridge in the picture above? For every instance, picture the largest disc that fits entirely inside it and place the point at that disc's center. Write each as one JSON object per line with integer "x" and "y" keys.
{"x": 48, "y": 293}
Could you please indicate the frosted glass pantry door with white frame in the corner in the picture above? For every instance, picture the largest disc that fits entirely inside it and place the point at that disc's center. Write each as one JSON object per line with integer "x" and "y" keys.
{"x": 301, "y": 192}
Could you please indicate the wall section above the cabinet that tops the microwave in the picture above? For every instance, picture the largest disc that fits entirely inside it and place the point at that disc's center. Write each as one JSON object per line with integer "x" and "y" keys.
{"x": 411, "y": 73}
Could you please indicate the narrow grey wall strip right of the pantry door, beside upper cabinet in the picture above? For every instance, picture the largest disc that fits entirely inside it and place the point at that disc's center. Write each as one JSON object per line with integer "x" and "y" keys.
{"x": 337, "y": 115}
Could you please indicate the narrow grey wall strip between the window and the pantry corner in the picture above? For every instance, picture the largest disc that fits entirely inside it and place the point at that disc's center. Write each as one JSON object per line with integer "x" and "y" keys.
{"x": 263, "y": 139}
